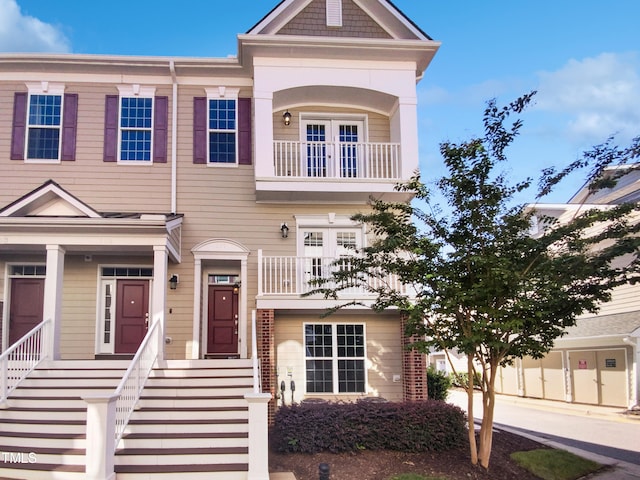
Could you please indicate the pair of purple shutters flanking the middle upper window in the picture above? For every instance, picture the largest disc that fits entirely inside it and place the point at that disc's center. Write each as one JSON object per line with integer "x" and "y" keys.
{"x": 160, "y": 128}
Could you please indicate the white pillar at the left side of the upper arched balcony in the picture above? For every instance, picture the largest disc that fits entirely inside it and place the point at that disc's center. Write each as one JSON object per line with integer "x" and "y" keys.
{"x": 263, "y": 115}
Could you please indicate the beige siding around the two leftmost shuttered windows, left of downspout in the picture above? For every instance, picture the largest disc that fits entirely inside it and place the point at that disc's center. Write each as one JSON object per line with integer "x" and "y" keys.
{"x": 139, "y": 188}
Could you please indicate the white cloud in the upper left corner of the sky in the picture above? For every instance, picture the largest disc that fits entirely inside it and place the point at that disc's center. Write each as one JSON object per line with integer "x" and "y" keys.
{"x": 23, "y": 33}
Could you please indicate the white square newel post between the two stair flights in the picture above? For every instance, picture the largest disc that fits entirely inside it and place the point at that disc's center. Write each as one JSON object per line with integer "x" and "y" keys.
{"x": 100, "y": 441}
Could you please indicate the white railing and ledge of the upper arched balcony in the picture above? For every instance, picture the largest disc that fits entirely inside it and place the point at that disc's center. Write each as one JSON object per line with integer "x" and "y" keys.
{"x": 336, "y": 171}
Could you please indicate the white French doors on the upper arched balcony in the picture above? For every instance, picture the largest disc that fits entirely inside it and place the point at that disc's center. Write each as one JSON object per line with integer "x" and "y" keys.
{"x": 332, "y": 148}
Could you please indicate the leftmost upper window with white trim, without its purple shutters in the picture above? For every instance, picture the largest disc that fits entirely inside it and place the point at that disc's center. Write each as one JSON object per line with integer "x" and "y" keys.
{"x": 44, "y": 122}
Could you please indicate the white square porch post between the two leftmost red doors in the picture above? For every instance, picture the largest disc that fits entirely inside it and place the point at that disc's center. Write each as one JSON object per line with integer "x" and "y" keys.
{"x": 53, "y": 298}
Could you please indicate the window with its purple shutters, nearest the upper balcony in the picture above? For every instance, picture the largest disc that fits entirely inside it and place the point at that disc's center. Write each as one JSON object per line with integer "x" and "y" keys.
{"x": 222, "y": 128}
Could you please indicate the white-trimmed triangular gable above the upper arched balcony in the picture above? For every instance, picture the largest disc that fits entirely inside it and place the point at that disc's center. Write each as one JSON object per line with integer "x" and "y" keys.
{"x": 388, "y": 17}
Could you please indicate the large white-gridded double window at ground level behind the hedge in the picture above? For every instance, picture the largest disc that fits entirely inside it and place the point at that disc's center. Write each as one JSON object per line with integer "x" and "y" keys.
{"x": 335, "y": 358}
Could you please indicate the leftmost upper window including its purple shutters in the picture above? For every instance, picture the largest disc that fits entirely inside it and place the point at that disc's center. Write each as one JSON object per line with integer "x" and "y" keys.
{"x": 44, "y": 124}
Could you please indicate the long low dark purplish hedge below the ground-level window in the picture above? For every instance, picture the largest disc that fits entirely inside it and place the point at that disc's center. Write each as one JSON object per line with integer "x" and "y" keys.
{"x": 340, "y": 427}
